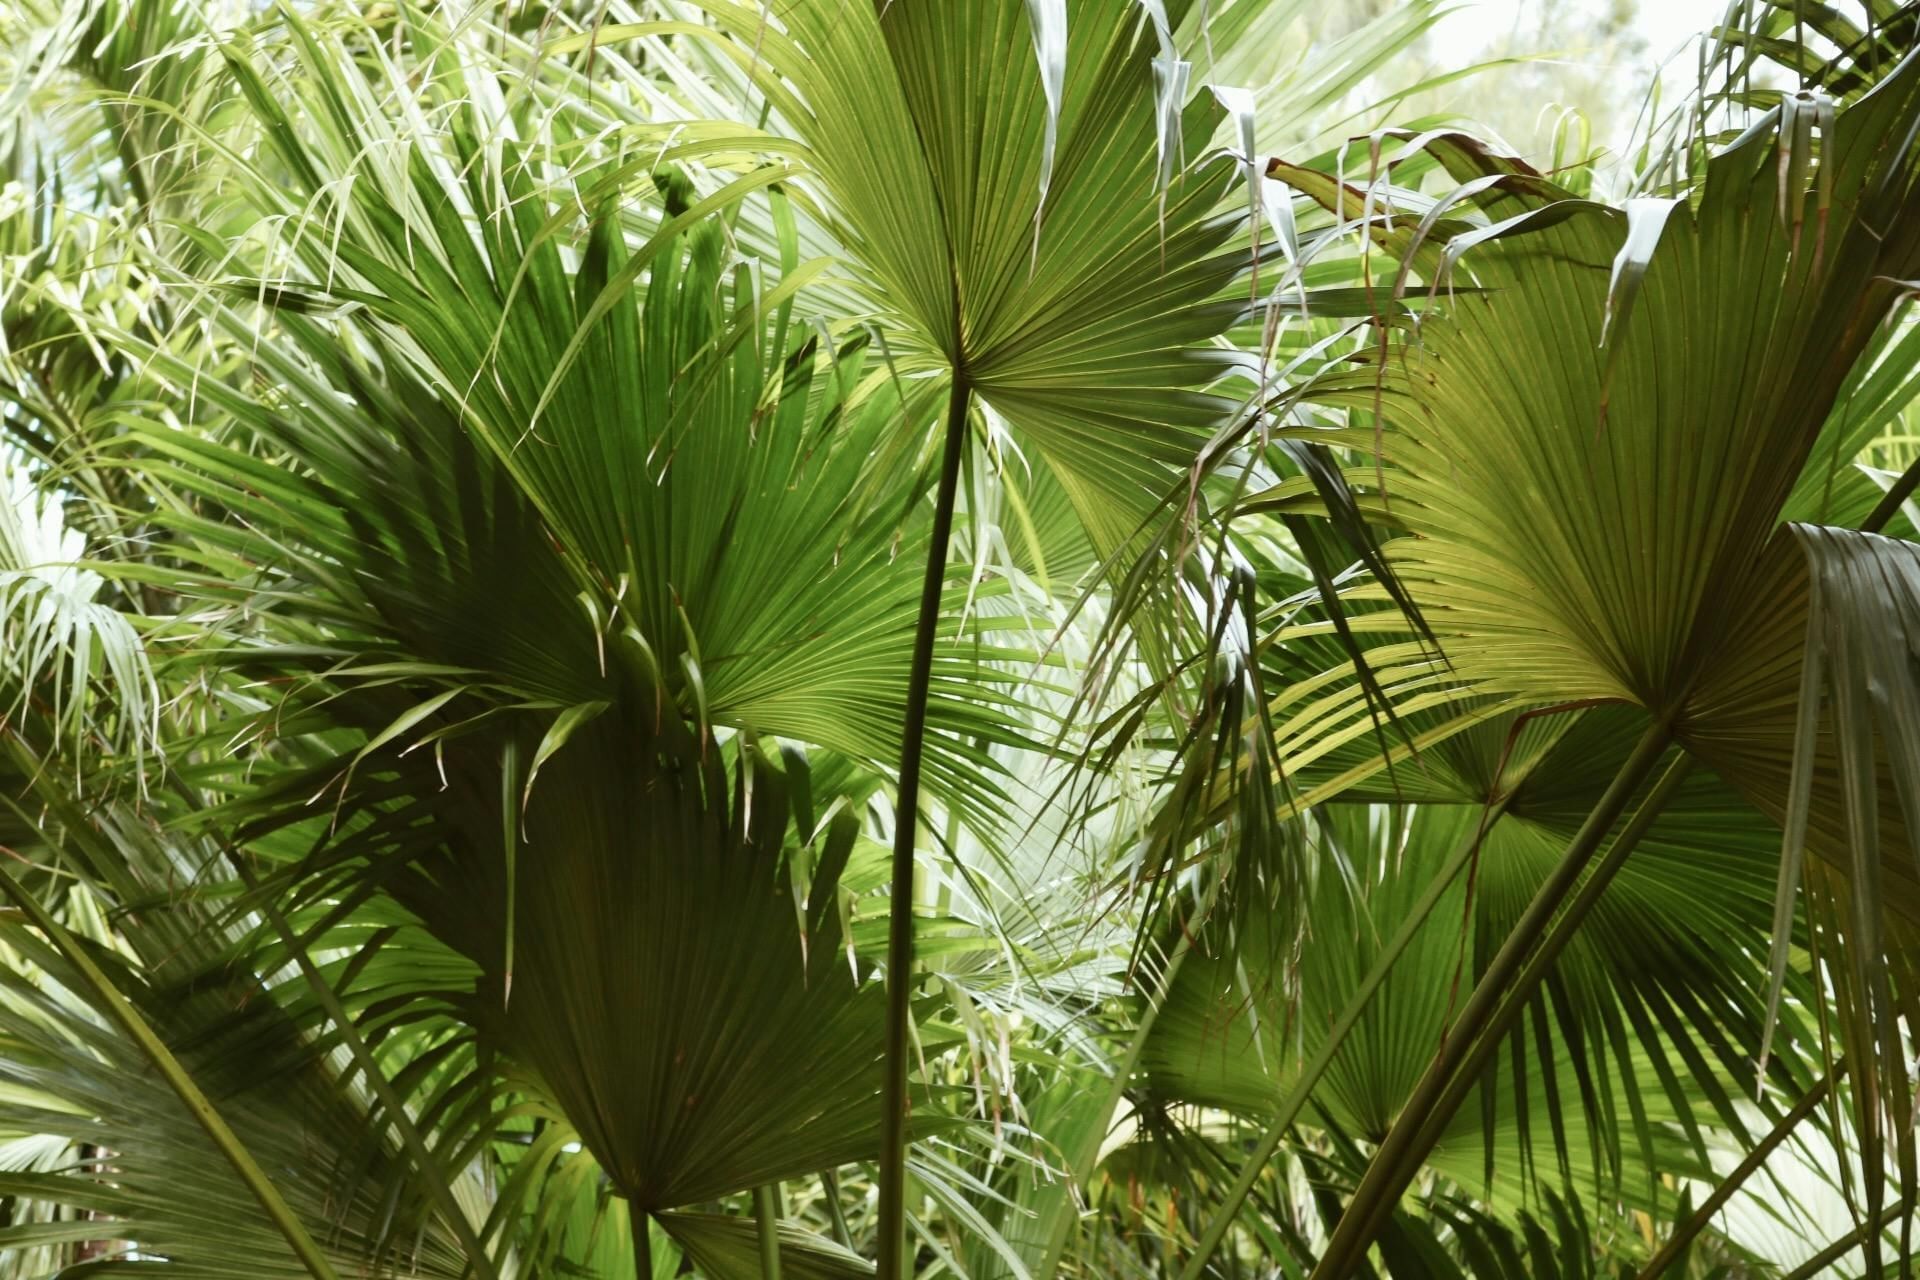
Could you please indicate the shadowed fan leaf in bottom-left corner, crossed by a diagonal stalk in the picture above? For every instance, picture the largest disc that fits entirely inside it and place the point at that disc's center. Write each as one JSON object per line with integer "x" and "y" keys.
{"x": 132, "y": 1164}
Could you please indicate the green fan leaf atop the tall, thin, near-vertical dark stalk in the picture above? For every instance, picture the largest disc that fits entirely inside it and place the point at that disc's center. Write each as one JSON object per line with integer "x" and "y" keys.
{"x": 1044, "y": 231}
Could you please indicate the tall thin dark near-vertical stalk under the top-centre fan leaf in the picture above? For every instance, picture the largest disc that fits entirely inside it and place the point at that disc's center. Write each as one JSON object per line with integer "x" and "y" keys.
{"x": 894, "y": 1135}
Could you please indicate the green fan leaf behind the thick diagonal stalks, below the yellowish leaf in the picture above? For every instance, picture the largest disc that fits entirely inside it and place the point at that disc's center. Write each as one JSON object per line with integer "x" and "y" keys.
{"x": 1637, "y": 1031}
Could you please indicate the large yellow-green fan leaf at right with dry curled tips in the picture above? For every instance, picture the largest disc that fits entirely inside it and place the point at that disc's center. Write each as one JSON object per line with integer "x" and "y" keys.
{"x": 1579, "y": 542}
